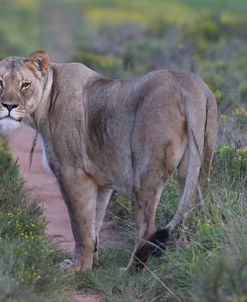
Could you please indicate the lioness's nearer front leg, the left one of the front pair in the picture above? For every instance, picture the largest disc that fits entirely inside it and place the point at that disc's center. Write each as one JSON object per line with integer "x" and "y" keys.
{"x": 80, "y": 195}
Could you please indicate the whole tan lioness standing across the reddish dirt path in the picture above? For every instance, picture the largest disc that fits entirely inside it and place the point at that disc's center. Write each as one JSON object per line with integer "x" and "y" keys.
{"x": 101, "y": 135}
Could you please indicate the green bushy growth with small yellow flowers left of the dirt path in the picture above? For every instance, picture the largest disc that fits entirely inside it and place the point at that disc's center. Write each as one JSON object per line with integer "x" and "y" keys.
{"x": 29, "y": 268}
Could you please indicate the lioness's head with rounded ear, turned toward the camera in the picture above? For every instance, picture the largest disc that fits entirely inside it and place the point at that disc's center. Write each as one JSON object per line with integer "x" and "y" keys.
{"x": 21, "y": 86}
